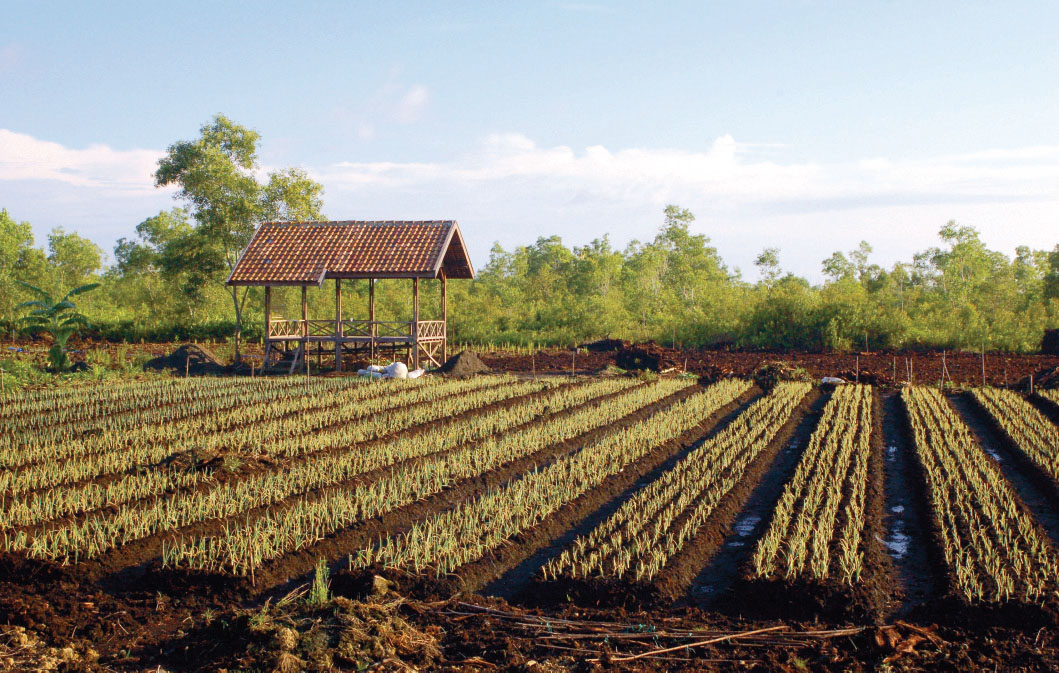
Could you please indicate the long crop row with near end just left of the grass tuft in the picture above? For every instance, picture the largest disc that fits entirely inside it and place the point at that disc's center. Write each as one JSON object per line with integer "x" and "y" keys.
{"x": 243, "y": 549}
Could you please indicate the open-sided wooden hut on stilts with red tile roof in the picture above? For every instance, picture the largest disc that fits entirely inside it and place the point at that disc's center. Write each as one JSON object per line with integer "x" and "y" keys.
{"x": 309, "y": 253}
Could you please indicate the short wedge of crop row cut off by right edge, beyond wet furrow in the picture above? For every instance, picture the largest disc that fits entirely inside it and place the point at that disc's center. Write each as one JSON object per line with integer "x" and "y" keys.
{"x": 1034, "y": 434}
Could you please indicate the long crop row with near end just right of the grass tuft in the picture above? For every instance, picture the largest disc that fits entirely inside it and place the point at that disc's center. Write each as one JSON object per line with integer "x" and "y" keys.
{"x": 475, "y": 529}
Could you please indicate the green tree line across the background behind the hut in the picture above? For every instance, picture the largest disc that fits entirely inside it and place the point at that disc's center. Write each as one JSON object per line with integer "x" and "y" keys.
{"x": 167, "y": 282}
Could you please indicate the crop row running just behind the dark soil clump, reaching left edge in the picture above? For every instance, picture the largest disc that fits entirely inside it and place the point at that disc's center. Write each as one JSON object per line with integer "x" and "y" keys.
{"x": 360, "y": 403}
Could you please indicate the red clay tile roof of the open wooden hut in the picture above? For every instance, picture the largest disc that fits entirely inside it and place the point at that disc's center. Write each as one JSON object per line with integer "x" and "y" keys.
{"x": 306, "y": 253}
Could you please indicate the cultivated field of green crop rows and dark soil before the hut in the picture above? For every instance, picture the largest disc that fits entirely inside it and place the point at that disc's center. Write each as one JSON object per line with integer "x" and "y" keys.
{"x": 841, "y": 521}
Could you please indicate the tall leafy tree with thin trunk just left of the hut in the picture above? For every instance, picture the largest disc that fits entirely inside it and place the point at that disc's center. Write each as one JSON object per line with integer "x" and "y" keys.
{"x": 216, "y": 176}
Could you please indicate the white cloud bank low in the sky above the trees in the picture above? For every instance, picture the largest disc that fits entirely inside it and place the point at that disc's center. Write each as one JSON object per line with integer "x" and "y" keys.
{"x": 509, "y": 189}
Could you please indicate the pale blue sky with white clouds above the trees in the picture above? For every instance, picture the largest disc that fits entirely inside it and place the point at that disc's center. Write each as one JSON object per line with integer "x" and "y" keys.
{"x": 803, "y": 125}
